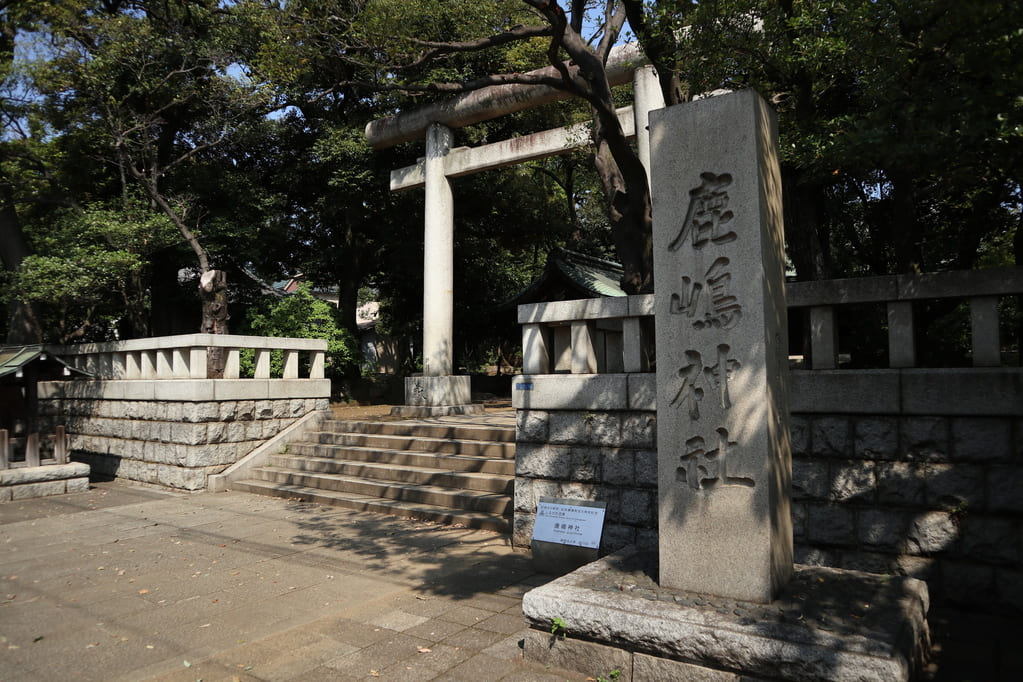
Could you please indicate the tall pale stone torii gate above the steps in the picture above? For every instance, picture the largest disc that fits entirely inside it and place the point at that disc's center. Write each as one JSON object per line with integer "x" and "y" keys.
{"x": 439, "y": 391}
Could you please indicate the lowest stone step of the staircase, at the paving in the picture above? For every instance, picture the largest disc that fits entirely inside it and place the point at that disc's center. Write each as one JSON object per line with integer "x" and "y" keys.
{"x": 475, "y": 520}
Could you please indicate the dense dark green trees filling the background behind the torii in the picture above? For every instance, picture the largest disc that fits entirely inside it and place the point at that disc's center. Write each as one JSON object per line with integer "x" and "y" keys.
{"x": 149, "y": 142}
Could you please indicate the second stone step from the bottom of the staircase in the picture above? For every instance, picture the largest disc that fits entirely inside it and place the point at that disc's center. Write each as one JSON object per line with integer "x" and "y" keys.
{"x": 416, "y": 494}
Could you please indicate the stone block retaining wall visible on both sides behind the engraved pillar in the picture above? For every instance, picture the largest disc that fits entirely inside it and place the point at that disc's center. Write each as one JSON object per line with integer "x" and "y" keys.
{"x": 938, "y": 497}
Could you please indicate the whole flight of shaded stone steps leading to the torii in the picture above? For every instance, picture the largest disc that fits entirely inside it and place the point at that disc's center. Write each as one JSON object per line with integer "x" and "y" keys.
{"x": 443, "y": 472}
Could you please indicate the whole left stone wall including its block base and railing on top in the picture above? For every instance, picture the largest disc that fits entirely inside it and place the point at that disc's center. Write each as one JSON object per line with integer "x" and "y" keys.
{"x": 152, "y": 413}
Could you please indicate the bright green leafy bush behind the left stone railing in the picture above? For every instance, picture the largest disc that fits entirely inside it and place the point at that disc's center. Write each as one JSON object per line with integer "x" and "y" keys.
{"x": 301, "y": 315}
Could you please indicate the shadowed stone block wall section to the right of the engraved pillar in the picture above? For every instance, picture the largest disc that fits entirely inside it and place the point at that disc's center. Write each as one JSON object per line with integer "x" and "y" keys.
{"x": 933, "y": 497}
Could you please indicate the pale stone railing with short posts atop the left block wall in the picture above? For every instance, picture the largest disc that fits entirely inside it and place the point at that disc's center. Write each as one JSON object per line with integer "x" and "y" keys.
{"x": 187, "y": 357}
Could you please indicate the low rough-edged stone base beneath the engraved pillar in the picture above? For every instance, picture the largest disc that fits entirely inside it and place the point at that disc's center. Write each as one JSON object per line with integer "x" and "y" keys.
{"x": 827, "y": 625}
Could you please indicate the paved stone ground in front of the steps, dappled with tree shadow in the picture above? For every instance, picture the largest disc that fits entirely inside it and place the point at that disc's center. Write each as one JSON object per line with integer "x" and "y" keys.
{"x": 130, "y": 583}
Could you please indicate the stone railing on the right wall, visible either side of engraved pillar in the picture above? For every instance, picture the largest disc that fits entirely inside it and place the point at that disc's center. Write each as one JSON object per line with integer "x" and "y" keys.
{"x": 608, "y": 336}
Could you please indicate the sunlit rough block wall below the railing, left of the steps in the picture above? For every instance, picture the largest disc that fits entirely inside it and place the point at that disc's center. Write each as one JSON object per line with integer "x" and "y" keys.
{"x": 171, "y": 443}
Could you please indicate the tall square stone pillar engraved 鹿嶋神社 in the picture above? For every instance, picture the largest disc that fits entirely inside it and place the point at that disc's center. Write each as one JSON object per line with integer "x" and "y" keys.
{"x": 724, "y": 453}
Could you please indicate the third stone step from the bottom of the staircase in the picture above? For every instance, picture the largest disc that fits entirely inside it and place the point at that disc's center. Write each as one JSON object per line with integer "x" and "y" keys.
{"x": 405, "y": 474}
